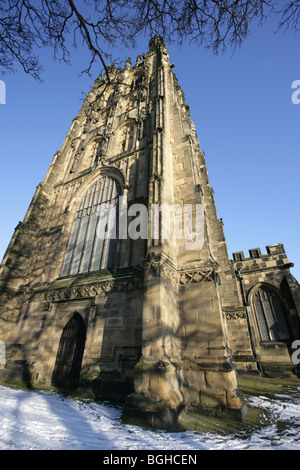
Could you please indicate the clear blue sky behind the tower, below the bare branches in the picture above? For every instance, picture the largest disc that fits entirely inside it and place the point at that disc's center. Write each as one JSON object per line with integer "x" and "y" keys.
{"x": 246, "y": 122}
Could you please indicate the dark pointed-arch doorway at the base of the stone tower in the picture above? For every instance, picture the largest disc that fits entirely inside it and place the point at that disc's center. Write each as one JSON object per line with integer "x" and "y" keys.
{"x": 67, "y": 367}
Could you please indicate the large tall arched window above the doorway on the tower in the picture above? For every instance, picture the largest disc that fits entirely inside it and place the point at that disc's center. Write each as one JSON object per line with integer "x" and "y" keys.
{"x": 93, "y": 237}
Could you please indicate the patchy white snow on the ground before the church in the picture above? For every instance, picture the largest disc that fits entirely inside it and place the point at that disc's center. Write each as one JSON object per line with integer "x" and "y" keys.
{"x": 46, "y": 421}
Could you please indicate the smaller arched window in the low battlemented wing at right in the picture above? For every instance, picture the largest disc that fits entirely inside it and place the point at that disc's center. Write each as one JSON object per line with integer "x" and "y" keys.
{"x": 270, "y": 315}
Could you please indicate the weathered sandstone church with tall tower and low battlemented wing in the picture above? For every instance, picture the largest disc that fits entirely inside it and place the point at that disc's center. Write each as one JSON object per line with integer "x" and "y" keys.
{"x": 163, "y": 320}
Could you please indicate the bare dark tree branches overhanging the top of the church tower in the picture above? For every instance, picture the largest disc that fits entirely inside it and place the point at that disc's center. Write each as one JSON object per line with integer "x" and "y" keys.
{"x": 101, "y": 25}
